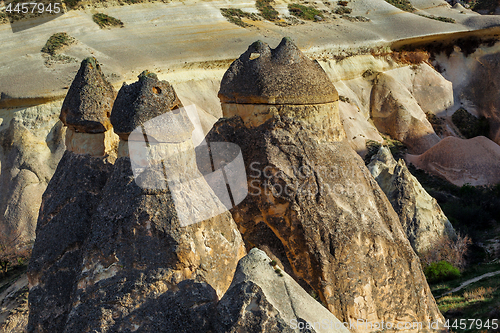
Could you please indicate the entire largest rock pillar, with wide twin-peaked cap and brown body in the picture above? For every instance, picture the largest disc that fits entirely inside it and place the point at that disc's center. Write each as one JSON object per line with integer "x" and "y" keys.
{"x": 312, "y": 203}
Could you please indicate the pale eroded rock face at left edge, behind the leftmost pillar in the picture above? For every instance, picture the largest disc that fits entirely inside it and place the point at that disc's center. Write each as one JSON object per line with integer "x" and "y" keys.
{"x": 31, "y": 145}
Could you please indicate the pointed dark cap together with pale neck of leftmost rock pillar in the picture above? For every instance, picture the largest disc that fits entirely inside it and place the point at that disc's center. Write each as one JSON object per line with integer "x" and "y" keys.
{"x": 86, "y": 110}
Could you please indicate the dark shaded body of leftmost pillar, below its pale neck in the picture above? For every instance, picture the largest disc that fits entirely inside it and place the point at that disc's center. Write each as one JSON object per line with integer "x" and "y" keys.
{"x": 63, "y": 226}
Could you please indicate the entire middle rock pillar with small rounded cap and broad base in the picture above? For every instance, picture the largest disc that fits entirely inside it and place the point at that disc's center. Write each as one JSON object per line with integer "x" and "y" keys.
{"x": 139, "y": 249}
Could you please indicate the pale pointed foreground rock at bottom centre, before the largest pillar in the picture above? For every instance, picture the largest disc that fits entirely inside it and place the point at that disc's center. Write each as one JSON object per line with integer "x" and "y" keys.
{"x": 262, "y": 298}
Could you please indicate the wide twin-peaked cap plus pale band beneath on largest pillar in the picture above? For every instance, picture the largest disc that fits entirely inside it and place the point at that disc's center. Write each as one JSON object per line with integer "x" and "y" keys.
{"x": 263, "y": 83}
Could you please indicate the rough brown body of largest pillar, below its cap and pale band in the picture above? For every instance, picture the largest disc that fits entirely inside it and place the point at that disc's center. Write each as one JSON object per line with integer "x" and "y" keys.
{"x": 315, "y": 206}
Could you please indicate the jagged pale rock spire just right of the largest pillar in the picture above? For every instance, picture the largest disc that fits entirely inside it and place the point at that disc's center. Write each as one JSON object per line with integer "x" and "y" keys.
{"x": 421, "y": 217}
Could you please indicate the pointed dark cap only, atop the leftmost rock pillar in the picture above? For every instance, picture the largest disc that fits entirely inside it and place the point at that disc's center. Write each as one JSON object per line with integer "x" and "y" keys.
{"x": 89, "y": 101}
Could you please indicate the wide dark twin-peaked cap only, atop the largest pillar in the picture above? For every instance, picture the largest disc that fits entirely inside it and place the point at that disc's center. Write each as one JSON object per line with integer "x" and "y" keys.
{"x": 280, "y": 76}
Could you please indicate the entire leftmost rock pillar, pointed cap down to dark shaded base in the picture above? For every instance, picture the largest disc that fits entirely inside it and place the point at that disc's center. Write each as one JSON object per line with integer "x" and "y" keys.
{"x": 69, "y": 201}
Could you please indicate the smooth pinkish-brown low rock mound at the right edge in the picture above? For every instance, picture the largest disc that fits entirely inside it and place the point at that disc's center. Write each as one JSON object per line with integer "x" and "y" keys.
{"x": 474, "y": 161}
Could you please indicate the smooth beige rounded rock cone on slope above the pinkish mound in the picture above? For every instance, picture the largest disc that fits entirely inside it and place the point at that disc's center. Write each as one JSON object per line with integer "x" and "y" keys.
{"x": 396, "y": 112}
